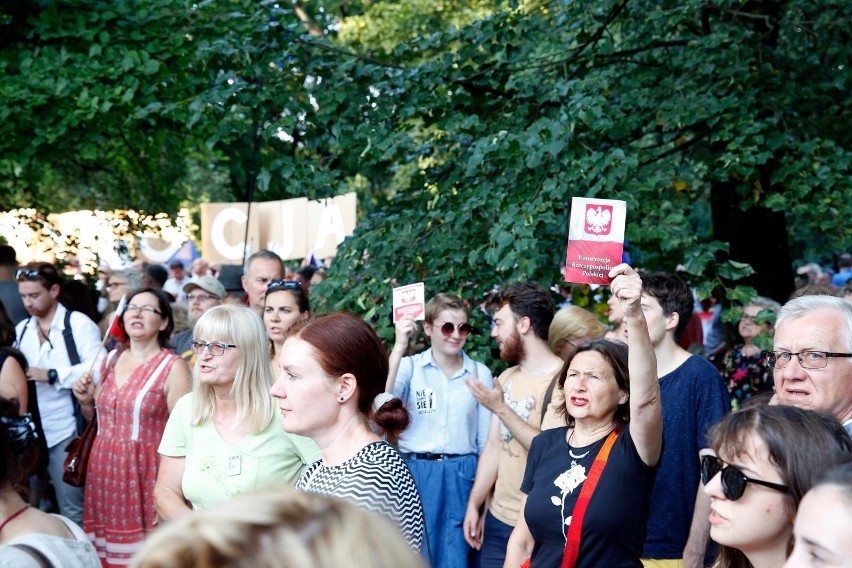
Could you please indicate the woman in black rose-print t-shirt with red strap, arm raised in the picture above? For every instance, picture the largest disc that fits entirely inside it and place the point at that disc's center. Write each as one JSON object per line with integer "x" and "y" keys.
{"x": 605, "y": 387}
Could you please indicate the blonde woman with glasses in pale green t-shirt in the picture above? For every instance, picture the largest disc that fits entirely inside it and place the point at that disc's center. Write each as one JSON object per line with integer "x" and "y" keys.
{"x": 222, "y": 439}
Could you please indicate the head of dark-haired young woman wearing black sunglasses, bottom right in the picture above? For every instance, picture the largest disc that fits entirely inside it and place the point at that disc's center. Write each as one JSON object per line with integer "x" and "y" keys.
{"x": 761, "y": 462}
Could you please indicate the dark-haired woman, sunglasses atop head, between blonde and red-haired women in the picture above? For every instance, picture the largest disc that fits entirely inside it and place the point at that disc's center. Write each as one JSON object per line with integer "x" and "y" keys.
{"x": 285, "y": 303}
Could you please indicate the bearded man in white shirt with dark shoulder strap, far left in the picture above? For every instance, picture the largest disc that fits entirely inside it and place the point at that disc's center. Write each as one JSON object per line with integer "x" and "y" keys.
{"x": 60, "y": 347}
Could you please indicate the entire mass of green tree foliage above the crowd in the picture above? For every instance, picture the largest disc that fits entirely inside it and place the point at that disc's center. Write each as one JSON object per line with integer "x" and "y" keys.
{"x": 465, "y": 126}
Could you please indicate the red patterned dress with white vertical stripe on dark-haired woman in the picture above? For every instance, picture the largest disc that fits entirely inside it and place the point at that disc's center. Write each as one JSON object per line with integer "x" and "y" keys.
{"x": 118, "y": 506}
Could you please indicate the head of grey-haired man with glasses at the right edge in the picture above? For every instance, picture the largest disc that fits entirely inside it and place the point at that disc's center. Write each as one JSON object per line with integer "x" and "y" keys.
{"x": 812, "y": 356}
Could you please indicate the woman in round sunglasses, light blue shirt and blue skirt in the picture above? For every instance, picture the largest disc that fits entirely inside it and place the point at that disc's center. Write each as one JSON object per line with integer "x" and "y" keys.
{"x": 448, "y": 426}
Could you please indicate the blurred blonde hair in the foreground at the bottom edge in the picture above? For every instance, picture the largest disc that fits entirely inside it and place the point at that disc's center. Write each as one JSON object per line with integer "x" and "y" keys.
{"x": 281, "y": 529}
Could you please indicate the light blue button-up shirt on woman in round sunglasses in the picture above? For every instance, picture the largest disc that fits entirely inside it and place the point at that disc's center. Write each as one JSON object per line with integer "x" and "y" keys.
{"x": 445, "y": 417}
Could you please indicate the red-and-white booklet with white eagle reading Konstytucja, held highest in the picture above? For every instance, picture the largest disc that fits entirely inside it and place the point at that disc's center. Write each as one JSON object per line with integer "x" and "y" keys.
{"x": 595, "y": 239}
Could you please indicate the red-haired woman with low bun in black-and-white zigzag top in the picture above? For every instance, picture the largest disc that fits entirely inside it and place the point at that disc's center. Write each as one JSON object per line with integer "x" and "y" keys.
{"x": 333, "y": 373}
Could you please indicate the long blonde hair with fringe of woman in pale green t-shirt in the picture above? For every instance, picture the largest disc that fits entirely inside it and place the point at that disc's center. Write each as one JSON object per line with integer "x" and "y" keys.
{"x": 241, "y": 326}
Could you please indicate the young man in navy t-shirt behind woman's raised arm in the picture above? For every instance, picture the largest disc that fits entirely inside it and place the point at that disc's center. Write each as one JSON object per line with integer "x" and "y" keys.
{"x": 694, "y": 397}
